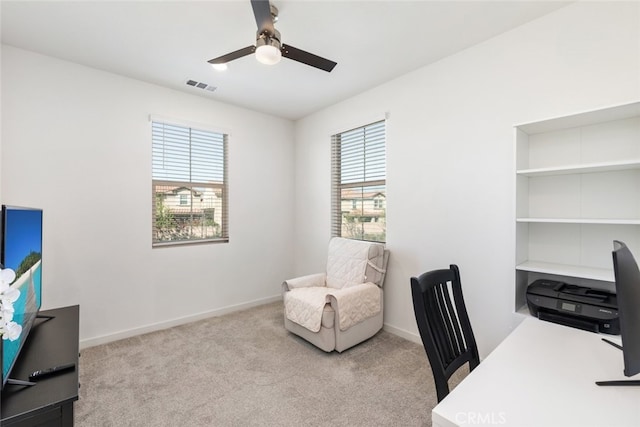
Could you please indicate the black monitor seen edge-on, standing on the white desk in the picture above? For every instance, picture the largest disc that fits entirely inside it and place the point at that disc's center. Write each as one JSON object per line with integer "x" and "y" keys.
{"x": 627, "y": 277}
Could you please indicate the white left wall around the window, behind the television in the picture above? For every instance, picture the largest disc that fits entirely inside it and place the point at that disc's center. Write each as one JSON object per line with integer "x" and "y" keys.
{"x": 77, "y": 142}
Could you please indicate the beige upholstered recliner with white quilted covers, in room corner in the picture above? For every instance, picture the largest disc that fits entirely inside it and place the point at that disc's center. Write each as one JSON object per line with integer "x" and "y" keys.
{"x": 343, "y": 306}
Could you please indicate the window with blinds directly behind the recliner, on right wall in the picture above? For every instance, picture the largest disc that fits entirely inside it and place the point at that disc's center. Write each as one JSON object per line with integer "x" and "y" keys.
{"x": 358, "y": 163}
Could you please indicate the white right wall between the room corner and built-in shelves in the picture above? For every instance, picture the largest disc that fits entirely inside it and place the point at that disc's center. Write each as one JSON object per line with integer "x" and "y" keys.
{"x": 450, "y": 152}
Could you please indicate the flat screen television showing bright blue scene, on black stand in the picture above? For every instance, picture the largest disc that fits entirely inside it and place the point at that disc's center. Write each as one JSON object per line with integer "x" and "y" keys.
{"x": 21, "y": 250}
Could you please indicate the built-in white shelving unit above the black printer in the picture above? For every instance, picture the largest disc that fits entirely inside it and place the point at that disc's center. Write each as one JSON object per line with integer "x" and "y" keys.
{"x": 577, "y": 190}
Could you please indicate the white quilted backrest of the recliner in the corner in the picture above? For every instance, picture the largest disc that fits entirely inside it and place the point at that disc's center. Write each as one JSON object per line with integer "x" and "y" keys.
{"x": 352, "y": 262}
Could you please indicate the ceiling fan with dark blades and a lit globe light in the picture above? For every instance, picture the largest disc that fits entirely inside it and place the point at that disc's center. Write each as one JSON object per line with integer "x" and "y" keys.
{"x": 268, "y": 48}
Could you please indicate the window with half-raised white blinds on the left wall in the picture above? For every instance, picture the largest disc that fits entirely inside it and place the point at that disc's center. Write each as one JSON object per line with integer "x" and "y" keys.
{"x": 189, "y": 187}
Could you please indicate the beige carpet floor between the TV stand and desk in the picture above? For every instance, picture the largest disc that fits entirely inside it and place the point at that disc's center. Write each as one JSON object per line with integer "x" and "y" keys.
{"x": 245, "y": 369}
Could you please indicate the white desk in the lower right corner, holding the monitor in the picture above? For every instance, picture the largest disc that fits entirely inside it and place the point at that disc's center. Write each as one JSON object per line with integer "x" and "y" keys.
{"x": 543, "y": 374}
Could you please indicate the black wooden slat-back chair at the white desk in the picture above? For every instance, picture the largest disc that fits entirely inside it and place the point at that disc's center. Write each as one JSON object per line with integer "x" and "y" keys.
{"x": 444, "y": 324}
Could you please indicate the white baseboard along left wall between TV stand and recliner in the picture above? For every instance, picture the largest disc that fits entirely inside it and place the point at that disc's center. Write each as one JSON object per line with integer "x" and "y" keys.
{"x": 104, "y": 339}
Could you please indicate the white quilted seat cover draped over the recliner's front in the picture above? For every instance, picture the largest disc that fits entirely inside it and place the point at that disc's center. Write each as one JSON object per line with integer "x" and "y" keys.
{"x": 305, "y": 306}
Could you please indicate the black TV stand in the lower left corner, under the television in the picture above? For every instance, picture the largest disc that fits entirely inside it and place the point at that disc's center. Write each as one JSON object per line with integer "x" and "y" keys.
{"x": 49, "y": 402}
